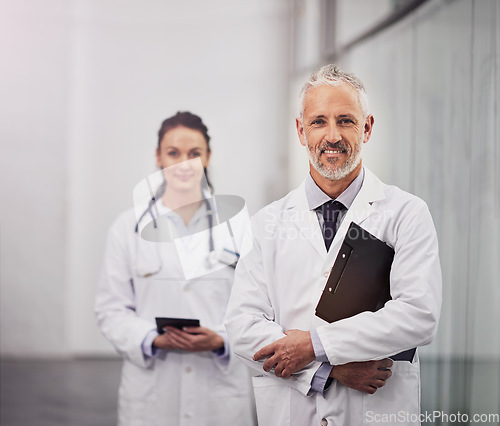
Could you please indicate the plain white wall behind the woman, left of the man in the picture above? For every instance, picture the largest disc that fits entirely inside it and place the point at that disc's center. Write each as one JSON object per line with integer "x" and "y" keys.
{"x": 87, "y": 86}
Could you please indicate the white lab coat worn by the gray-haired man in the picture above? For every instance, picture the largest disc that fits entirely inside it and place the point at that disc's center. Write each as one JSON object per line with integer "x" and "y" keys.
{"x": 278, "y": 285}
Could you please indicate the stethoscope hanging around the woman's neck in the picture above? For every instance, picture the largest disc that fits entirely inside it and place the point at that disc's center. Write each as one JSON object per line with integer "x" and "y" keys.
{"x": 212, "y": 258}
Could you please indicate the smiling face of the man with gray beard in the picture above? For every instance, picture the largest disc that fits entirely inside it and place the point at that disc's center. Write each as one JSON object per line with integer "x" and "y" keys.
{"x": 333, "y": 130}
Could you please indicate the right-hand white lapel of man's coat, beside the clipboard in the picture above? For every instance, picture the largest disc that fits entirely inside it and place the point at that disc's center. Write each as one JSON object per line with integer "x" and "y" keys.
{"x": 361, "y": 208}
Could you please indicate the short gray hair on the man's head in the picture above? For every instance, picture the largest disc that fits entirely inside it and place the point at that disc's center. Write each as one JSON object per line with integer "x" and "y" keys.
{"x": 332, "y": 75}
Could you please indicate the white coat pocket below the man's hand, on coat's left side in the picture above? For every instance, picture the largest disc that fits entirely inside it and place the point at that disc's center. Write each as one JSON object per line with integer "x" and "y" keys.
{"x": 272, "y": 400}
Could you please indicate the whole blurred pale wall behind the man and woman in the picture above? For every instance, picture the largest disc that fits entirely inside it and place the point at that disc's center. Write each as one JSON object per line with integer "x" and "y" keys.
{"x": 85, "y": 85}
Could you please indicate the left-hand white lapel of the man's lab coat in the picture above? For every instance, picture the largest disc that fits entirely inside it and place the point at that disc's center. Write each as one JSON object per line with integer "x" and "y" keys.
{"x": 306, "y": 220}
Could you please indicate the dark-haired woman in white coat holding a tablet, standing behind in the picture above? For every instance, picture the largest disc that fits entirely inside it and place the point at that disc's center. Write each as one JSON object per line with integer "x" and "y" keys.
{"x": 184, "y": 376}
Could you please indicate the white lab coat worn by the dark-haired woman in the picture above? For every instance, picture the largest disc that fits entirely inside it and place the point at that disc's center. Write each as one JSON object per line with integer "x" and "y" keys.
{"x": 176, "y": 388}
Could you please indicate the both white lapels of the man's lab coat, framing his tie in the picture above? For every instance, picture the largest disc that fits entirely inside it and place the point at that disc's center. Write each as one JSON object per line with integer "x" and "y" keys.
{"x": 306, "y": 220}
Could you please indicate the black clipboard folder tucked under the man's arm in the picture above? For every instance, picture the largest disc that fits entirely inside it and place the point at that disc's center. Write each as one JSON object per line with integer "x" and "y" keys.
{"x": 359, "y": 280}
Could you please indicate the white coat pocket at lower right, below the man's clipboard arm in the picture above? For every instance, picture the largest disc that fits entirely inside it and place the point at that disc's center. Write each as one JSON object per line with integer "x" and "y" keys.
{"x": 398, "y": 402}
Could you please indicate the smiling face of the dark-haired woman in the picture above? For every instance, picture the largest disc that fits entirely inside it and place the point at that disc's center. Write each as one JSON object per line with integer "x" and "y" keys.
{"x": 183, "y": 155}
